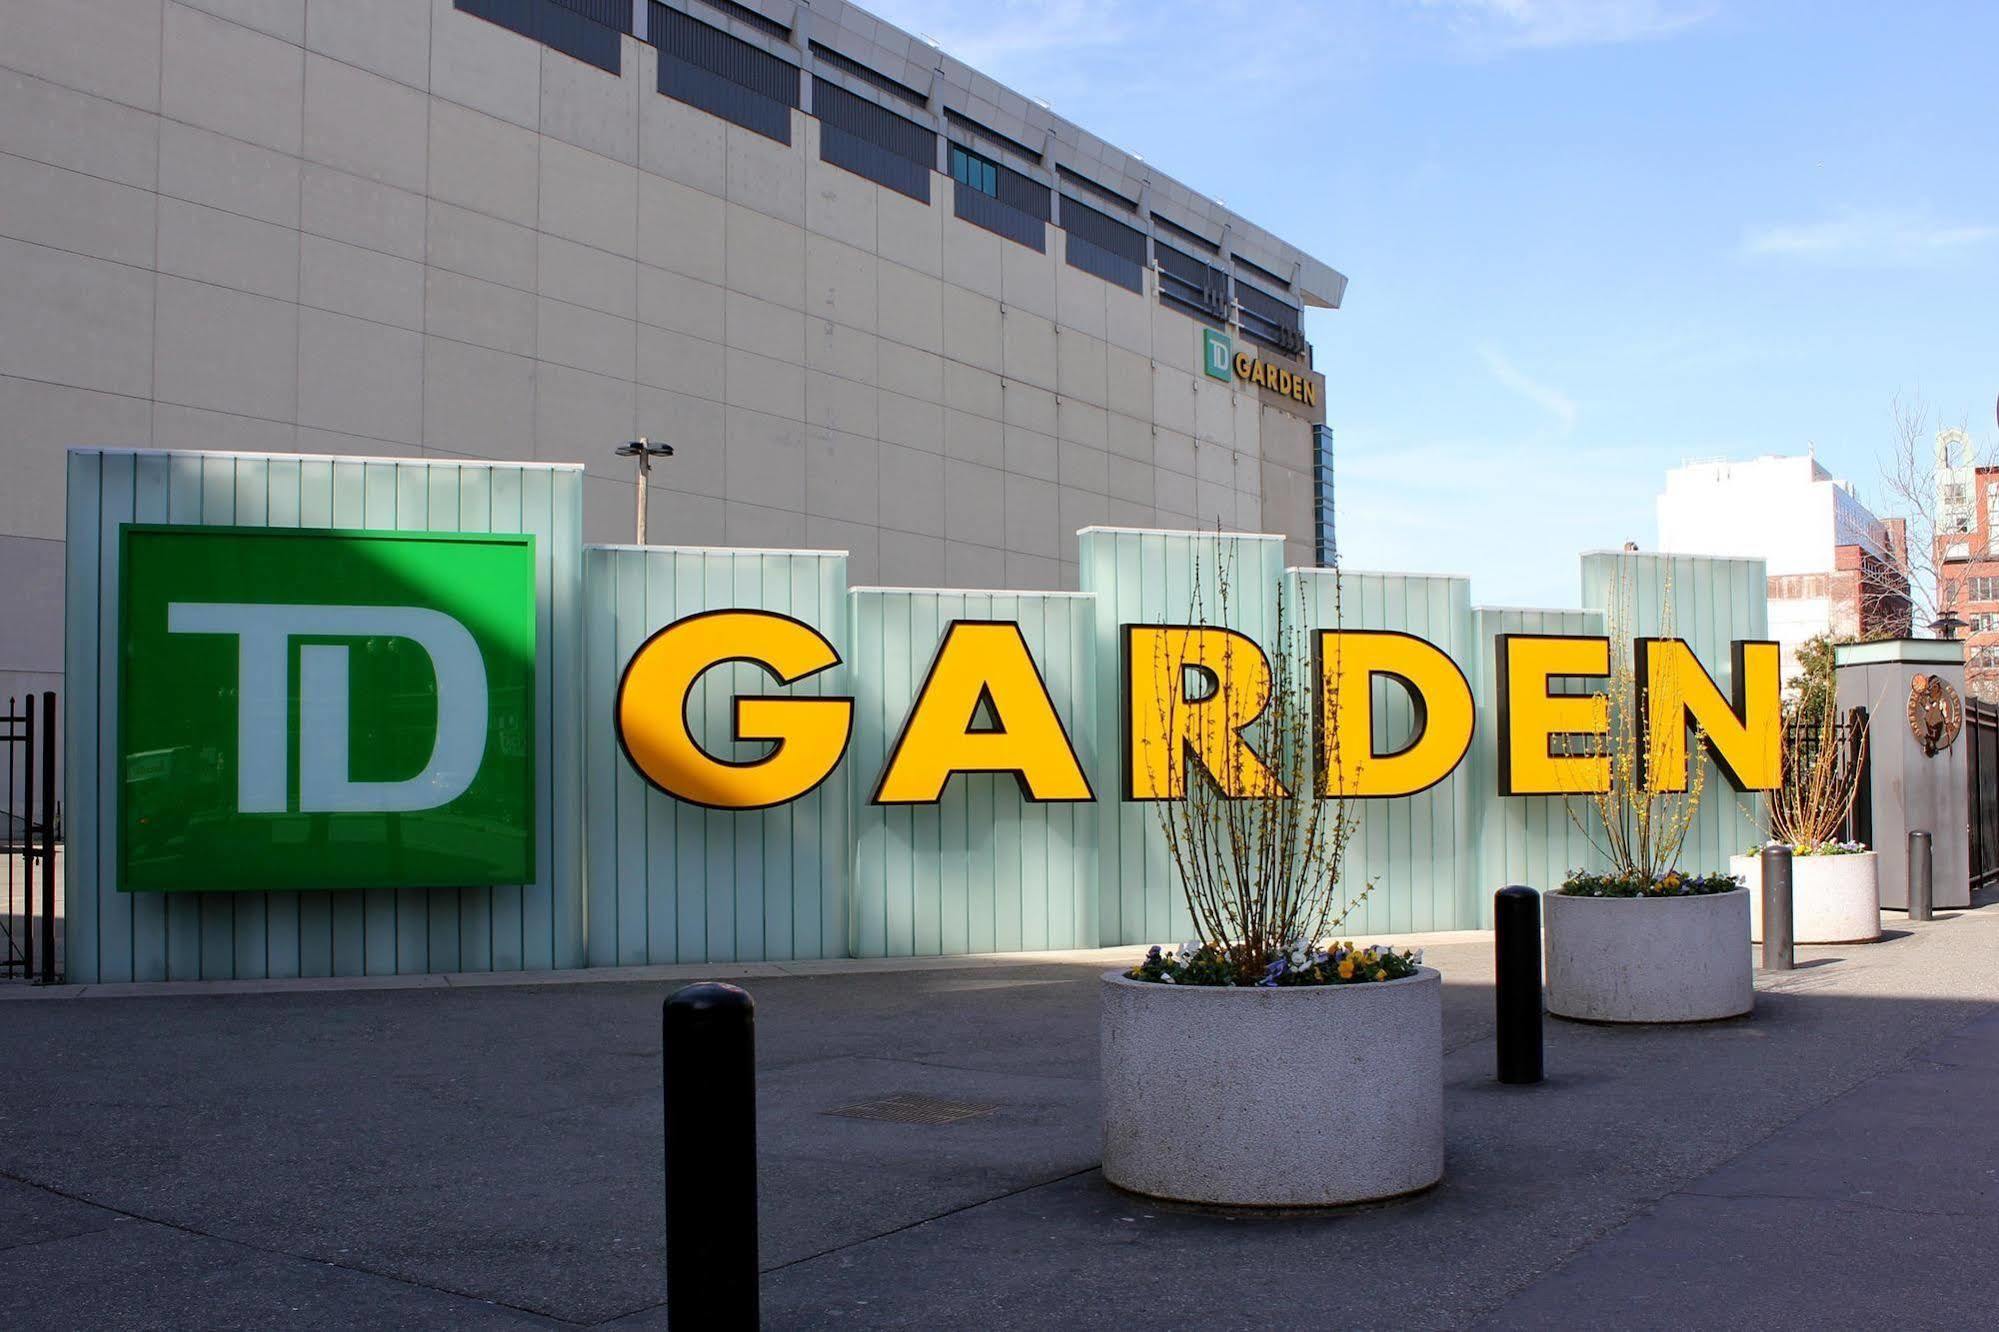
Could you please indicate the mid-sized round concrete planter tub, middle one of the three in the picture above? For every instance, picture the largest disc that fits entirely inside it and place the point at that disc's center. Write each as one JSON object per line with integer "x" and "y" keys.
{"x": 1648, "y": 959}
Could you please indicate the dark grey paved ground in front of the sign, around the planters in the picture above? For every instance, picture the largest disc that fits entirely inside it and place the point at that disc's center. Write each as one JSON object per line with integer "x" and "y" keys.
{"x": 491, "y": 1157}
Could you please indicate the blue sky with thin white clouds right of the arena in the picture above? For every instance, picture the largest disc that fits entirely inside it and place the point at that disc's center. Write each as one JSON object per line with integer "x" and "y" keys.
{"x": 1586, "y": 239}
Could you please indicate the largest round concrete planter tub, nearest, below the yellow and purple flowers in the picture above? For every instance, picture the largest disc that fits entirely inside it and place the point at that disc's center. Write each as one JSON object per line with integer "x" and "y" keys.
{"x": 1294, "y": 1097}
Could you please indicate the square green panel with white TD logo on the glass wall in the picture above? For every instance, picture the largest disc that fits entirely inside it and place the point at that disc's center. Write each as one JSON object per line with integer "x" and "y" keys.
{"x": 309, "y": 709}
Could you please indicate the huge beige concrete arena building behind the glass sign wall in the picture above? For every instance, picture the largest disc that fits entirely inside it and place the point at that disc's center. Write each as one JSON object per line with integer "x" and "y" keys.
{"x": 877, "y": 301}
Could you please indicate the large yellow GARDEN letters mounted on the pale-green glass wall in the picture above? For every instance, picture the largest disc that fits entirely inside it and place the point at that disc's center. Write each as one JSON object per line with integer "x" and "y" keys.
{"x": 1190, "y": 701}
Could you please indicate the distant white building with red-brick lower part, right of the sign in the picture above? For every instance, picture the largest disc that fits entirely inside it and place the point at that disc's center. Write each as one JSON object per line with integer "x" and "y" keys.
{"x": 1834, "y": 567}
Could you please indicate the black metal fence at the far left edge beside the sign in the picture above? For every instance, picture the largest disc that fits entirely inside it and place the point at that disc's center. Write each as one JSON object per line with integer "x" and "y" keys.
{"x": 31, "y": 827}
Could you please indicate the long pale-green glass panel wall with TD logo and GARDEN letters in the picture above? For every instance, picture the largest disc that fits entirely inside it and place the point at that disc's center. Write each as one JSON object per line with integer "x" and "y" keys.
{"x": 333, "y": 731}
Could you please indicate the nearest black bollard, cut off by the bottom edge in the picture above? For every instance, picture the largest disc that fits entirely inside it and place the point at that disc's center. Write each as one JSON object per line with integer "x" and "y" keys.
{"x": 709, "y": 1055}
